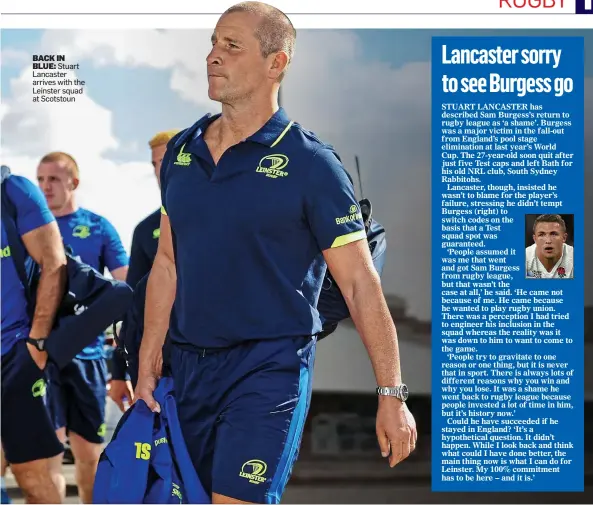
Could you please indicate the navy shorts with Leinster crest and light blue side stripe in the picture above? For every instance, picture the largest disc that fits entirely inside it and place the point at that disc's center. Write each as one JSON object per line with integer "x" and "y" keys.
{"x": 242, "y": 412}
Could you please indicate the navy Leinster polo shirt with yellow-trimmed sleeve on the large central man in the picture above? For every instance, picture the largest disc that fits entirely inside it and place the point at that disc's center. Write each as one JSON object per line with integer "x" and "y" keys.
{"x": 249, "y": 232}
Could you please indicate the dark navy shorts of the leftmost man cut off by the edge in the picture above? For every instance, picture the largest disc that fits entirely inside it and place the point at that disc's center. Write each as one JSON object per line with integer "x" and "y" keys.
{"x": 27, "y": 430}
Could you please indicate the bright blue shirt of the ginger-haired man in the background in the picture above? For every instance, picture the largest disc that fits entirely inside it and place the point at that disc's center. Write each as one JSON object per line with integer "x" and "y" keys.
{"x": 94, "y": 240}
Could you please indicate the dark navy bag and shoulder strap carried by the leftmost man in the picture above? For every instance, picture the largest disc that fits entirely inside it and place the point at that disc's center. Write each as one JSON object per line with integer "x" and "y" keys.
{"x": 92, "y": 302}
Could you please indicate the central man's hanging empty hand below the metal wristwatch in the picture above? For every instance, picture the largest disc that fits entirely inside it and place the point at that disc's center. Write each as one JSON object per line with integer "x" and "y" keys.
{"x": 396, "y": 430}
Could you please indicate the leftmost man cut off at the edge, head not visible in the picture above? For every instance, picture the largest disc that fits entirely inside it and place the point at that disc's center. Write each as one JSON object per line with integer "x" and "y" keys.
{"x": 28, "y": 436}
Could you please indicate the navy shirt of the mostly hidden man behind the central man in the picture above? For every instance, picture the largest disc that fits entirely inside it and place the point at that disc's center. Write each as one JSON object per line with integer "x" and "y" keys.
{"x": 145, "y": 242}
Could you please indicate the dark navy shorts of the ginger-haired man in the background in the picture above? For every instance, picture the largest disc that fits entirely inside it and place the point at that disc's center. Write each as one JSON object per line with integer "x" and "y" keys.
{"x": 77, "y": 396}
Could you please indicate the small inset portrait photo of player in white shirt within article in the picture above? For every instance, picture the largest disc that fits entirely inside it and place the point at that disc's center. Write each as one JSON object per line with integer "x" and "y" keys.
{"x": 549, "y": 252}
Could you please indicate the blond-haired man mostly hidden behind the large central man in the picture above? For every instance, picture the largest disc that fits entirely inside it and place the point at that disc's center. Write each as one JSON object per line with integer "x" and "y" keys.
{"x": 144, "y": 246}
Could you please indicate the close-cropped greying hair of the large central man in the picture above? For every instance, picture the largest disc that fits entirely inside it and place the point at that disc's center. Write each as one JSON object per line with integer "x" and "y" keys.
{"x": 275, "y": 31}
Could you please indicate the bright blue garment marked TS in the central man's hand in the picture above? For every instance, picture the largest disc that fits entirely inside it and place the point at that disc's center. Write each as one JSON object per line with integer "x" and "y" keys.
{"x": 147, "y": 459}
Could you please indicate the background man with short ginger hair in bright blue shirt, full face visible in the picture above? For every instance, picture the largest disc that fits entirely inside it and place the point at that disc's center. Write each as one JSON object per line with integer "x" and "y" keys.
{"x": 77, "y": 394}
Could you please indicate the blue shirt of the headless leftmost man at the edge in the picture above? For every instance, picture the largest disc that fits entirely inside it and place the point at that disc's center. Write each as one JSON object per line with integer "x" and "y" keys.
{"x": 32, "y": 213}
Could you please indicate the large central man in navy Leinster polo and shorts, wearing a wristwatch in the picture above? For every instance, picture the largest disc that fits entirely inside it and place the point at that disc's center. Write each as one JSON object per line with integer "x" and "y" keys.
{"x": 255, "y": 208}
